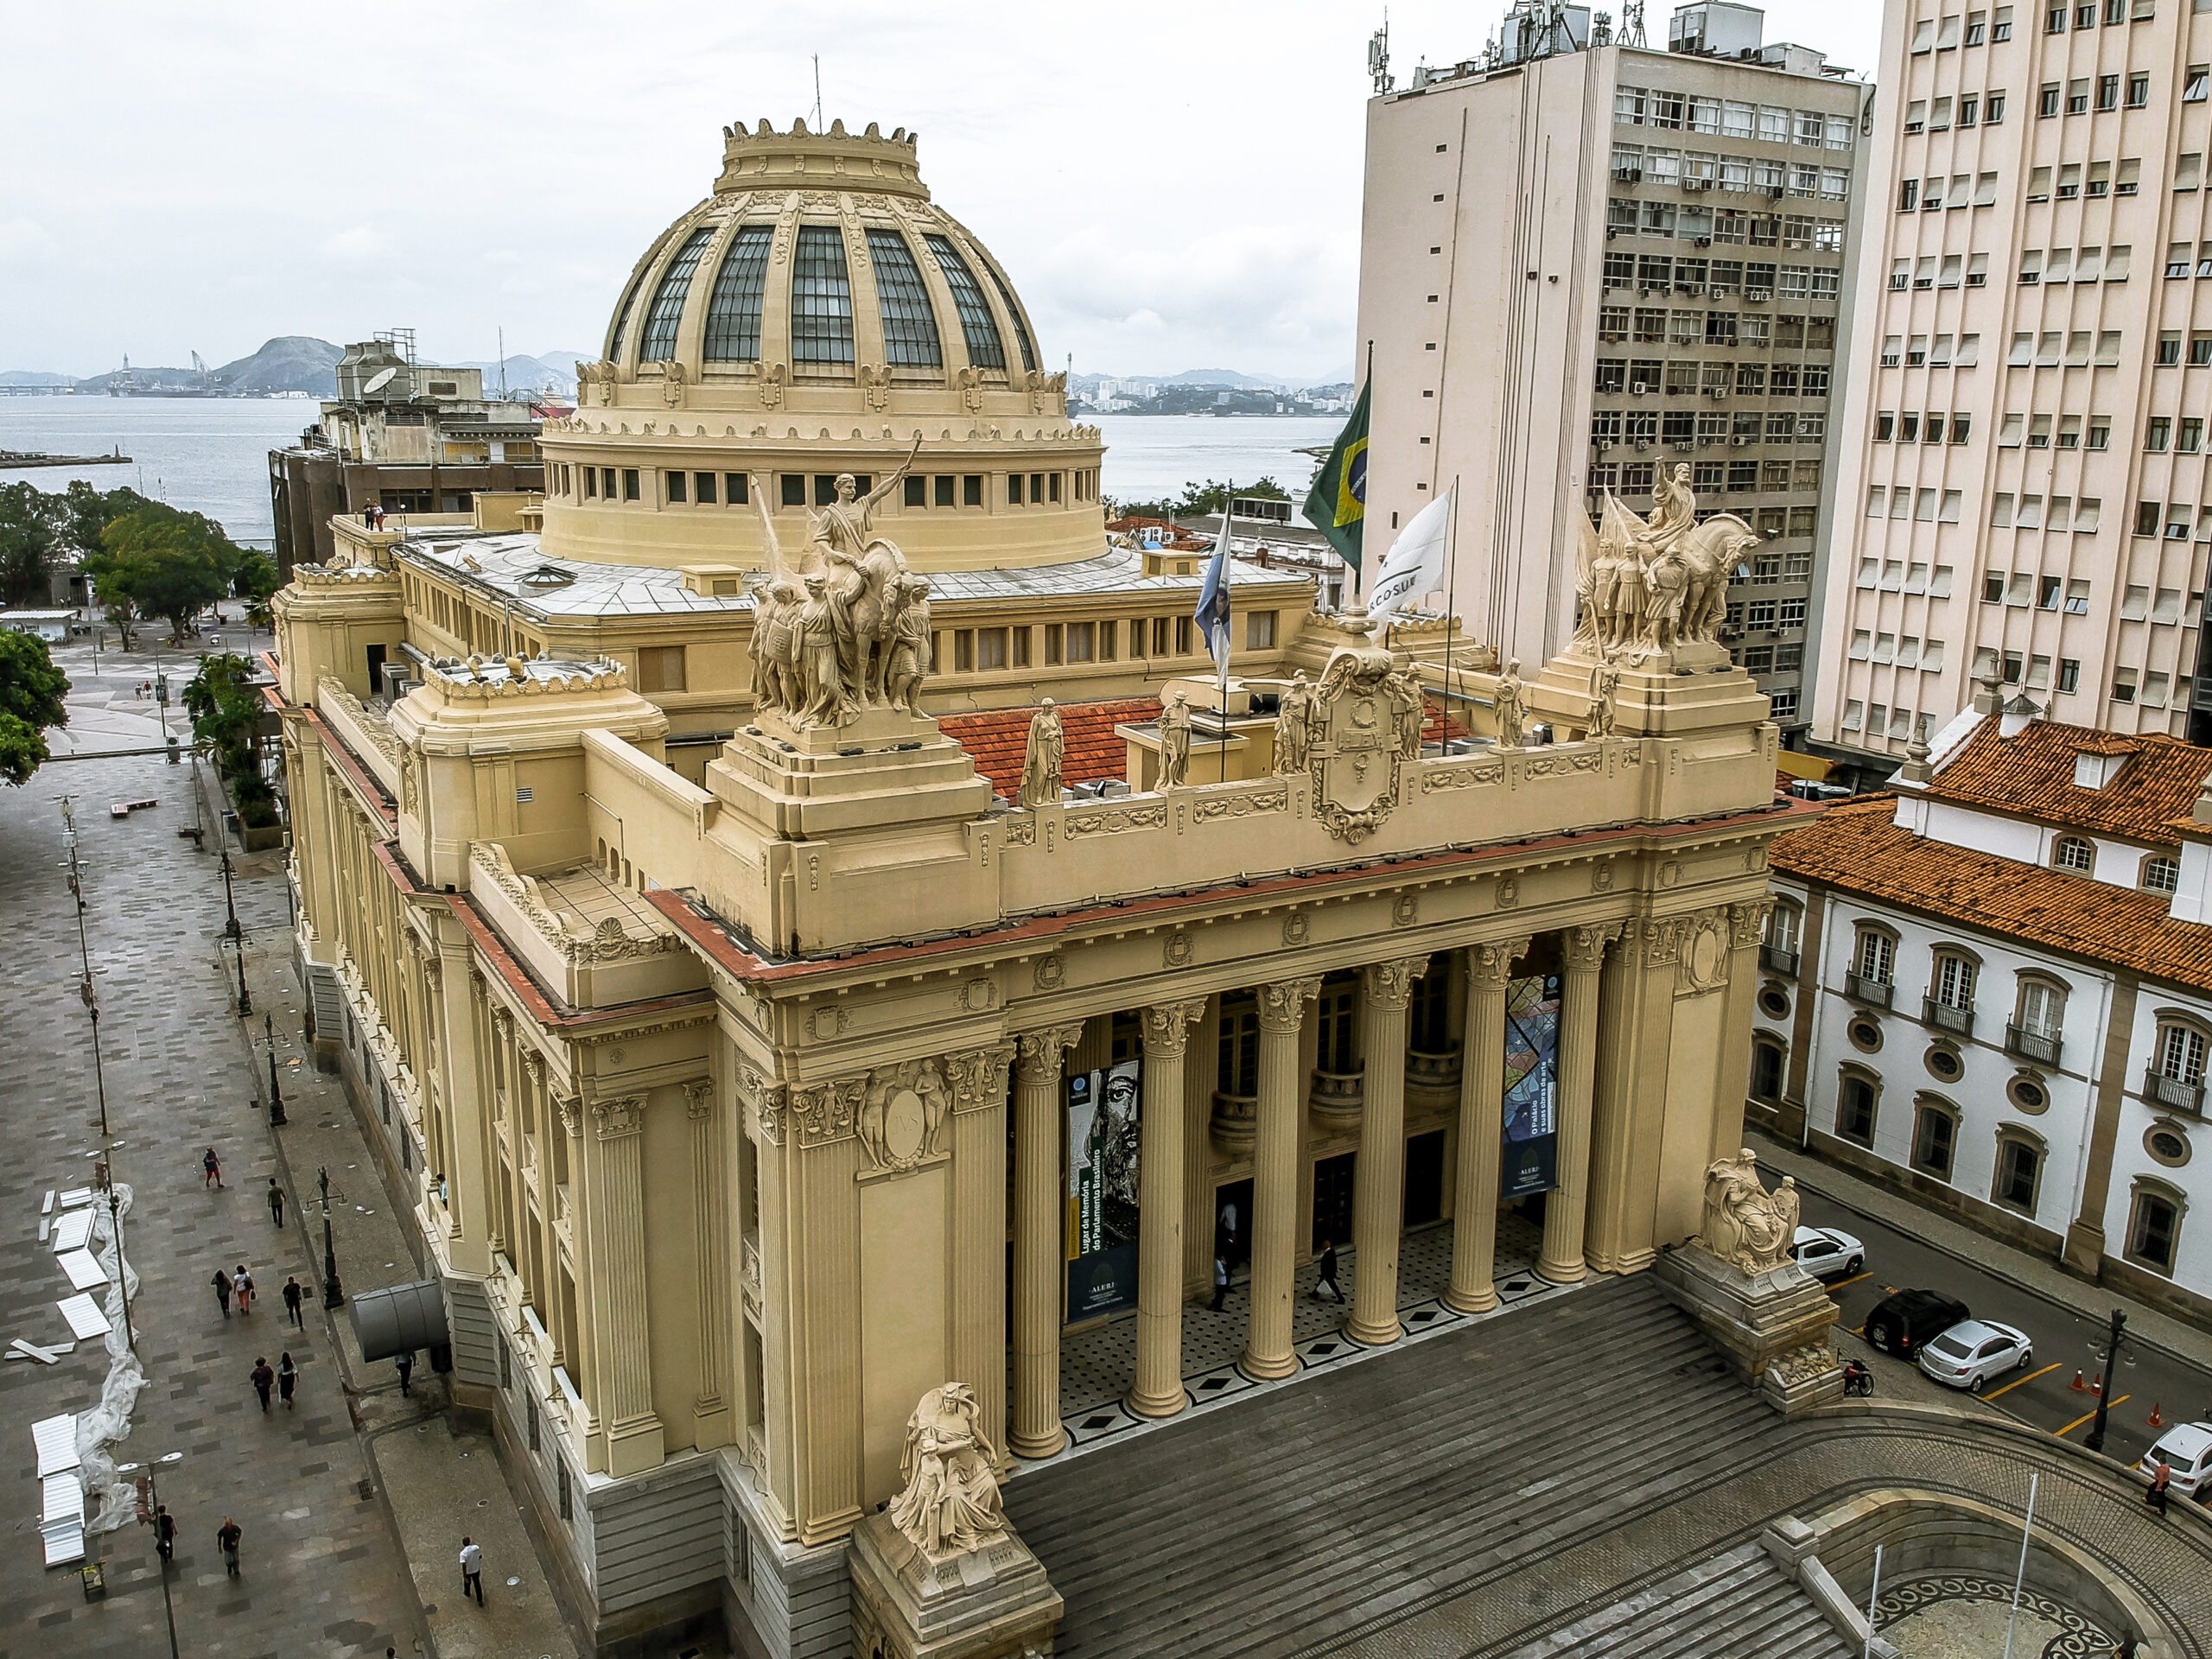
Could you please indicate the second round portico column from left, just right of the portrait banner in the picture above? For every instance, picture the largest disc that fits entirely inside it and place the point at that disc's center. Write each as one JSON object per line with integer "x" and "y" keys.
{"x": 1160, "y": 1213}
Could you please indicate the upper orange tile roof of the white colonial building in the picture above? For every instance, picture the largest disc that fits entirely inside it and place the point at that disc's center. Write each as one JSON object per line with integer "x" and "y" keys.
{"x": 2032, "y": 778}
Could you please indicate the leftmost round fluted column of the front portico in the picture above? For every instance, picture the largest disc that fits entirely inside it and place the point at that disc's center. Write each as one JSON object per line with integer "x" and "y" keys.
{"x": 1039, "y": 1249}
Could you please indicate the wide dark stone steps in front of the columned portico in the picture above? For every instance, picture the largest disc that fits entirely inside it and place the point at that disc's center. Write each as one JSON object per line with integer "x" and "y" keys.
{"x": 1344, "y": 1501}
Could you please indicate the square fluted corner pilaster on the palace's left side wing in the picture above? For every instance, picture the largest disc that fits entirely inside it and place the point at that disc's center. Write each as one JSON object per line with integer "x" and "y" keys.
{"x": 634, "y": 1432}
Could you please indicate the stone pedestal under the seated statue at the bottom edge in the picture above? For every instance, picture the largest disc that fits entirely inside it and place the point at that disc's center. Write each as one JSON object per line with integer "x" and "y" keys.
{"x": 981, "y": 1605}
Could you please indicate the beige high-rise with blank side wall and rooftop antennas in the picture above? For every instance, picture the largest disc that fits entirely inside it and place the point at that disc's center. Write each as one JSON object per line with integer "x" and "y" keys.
{"x": 1587, "y": 262}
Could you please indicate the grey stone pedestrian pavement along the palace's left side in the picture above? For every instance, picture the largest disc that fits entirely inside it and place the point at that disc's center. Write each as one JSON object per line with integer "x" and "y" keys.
{"x": 322, "y": 1572}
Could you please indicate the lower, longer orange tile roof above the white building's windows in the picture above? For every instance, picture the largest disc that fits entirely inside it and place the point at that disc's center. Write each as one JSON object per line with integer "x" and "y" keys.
{"x": 1857, "y": 848}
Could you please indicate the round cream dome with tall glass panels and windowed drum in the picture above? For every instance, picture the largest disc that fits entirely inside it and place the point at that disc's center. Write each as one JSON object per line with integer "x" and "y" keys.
{"x": 815, "y": 317}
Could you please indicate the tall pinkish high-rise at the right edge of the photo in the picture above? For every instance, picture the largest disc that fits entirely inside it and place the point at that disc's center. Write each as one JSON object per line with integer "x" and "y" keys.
{"x": 2023, "y": 474}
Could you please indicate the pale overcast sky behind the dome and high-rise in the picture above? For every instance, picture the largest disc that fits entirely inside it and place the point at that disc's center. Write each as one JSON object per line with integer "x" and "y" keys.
{"x": 1169, "y": 185}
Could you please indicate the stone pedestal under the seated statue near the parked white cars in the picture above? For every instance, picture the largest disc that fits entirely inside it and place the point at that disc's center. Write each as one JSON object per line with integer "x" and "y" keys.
{"x": 1775, "y": 1328}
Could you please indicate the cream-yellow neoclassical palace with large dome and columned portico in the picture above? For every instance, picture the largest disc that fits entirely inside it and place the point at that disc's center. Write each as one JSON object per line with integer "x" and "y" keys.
{"x": 806, "y": 921}
